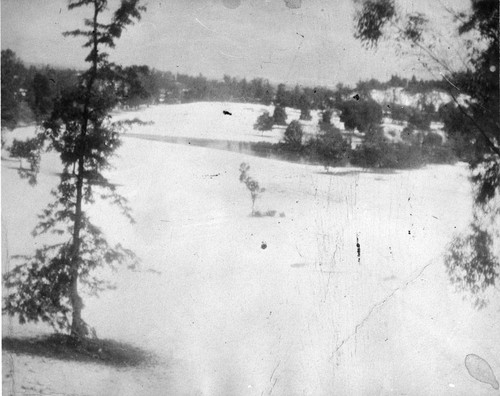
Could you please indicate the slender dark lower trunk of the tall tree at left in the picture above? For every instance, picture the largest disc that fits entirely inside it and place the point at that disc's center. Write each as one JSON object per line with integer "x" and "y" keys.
{"x": 78, "y": 329}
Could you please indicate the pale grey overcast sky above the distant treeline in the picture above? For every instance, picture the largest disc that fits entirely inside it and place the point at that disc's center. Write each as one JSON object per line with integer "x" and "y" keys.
{"x": 310, "y": 45}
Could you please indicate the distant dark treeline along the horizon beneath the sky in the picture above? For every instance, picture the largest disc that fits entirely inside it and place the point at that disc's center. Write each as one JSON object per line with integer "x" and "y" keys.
{"x": 28, "y": 92}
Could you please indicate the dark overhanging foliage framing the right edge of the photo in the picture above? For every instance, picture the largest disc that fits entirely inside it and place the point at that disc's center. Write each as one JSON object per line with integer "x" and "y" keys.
{"x": 473, "y": 127}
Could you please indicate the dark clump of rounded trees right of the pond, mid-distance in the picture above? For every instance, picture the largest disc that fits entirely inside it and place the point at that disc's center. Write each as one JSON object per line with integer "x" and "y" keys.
{"x": 330, "y": 146}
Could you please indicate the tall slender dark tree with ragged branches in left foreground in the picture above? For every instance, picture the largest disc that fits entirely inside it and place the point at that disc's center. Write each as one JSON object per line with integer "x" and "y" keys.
{"x": 46, "y": 286}
